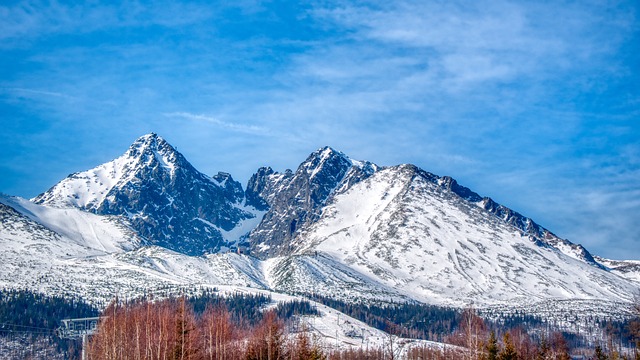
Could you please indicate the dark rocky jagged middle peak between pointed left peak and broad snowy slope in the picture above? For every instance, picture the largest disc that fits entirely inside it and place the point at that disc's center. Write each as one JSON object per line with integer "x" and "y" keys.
{"x": 294, "y": 200}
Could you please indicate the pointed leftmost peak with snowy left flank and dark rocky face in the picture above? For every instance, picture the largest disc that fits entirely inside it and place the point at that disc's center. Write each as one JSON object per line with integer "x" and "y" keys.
{"x": 166, "y": 200}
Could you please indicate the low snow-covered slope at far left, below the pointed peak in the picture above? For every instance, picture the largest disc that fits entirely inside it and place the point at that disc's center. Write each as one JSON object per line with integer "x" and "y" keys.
{"x": 66, "y": 251}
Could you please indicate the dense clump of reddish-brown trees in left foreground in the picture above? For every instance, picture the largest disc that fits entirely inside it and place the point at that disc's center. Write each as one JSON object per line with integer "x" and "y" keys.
{"x": 171, "y": 329}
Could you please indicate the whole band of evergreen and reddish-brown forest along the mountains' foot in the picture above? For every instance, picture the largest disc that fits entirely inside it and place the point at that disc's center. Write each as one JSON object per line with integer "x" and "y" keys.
{"x": 210, "y": 325}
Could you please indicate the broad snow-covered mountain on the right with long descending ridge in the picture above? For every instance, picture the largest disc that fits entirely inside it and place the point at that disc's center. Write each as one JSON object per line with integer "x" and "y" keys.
{"x": 406, "y": 229}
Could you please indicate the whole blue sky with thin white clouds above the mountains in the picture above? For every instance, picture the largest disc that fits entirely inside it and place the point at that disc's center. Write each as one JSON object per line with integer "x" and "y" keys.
{"x": 535, "y": 104}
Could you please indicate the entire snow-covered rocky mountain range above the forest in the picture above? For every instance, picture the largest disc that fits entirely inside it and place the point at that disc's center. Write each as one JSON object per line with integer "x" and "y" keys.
{"x": 352, "y": 230}
